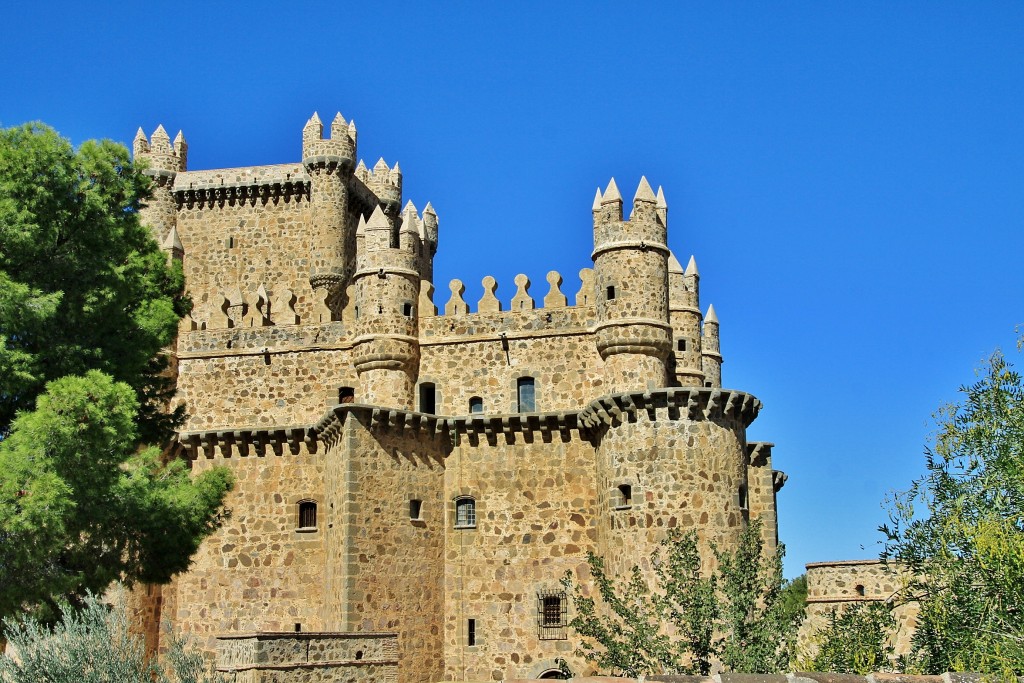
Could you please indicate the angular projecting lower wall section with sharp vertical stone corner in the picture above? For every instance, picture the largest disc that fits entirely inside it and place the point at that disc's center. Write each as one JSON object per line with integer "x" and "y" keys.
{"x": 387, "y": 566}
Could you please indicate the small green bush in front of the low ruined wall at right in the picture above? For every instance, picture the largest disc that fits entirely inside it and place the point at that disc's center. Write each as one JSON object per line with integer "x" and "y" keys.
{"x": 857, "y": 639}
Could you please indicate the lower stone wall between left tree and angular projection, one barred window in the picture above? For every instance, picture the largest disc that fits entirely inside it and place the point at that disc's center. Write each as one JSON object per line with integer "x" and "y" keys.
{"x": 260, "y": 572}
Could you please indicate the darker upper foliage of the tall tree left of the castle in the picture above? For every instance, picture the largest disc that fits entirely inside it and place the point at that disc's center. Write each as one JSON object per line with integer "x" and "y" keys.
{"x": 83, "y": 286}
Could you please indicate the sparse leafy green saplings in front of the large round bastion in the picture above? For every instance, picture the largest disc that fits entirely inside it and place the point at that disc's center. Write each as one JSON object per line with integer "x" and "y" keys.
{"x": 689, "y": 620}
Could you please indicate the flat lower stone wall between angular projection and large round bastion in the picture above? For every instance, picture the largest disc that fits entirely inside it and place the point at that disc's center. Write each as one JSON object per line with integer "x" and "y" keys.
{"x": 536, "y": 519}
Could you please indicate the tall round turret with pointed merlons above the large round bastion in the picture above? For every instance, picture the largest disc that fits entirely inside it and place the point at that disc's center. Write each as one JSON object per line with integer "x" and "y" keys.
{"x": 631, "y": 264}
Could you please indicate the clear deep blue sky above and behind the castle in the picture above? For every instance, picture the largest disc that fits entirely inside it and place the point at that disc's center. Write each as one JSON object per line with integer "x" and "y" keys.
{"x": 848, "y": 176}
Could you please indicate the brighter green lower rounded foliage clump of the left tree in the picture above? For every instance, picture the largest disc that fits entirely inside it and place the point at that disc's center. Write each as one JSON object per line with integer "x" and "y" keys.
{"x": 81, "y": 507}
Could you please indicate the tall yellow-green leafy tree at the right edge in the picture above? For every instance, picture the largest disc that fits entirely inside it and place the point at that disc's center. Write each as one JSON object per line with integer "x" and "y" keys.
{"x": 960, "y": 531}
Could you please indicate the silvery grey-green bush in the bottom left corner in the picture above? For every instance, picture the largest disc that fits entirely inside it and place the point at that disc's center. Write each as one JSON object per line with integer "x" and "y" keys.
{"x": 95, "y": 646}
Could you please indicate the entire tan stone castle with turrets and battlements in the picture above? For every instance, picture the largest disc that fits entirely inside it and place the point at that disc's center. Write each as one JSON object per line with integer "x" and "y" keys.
{"x": 413, "y": 484}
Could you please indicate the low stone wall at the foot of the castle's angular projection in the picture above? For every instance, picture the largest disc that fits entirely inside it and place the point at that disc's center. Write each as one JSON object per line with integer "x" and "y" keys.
{"x": 310, "y": 658}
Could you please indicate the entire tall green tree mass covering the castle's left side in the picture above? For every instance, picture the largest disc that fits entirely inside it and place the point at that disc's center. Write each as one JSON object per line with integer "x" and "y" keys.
{"x": 88, "y": 302}
